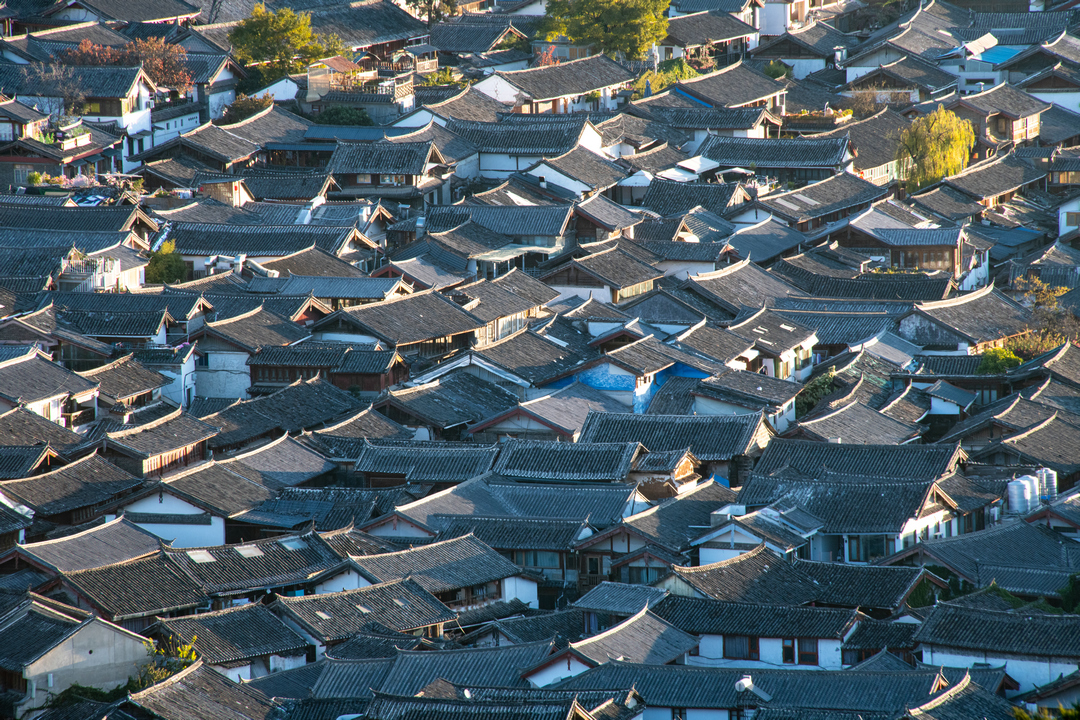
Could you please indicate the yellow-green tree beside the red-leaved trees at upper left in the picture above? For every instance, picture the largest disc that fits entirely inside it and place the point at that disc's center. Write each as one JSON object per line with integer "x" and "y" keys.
{"x": 282, "y": 42}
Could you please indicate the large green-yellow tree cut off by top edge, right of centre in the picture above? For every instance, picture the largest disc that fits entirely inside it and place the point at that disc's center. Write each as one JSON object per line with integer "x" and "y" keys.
{"x": 628, "y": 28}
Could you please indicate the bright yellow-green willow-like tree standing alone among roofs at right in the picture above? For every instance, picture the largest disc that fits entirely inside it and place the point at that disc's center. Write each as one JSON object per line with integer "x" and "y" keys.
{"x": 934, "y": 147}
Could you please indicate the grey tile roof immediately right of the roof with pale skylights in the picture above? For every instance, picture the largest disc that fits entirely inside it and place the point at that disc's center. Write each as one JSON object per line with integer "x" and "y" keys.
{"x": 443, "y": 566}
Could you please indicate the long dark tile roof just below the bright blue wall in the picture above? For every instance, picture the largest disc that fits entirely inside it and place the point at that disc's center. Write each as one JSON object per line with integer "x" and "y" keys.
{"x": 711, "y": 439}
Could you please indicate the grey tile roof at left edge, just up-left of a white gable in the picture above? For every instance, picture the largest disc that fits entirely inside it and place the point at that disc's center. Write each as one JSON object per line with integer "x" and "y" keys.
{"x": 87, "y": 483}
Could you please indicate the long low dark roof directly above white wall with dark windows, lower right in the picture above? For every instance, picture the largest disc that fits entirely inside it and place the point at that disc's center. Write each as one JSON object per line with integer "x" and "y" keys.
{"x": 705, "y": 617}
